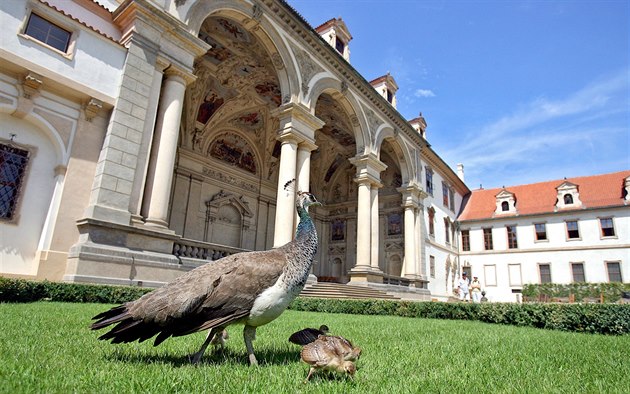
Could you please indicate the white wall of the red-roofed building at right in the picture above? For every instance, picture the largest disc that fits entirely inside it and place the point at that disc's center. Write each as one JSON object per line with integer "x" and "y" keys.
{"x": 558, "y": 251}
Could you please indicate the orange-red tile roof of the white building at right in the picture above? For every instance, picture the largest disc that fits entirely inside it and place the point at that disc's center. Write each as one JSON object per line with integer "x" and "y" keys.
{"x": 595, "y": 191}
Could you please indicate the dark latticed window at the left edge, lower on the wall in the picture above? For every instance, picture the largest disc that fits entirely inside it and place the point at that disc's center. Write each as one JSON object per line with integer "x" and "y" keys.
{"x": 13, "y": 163}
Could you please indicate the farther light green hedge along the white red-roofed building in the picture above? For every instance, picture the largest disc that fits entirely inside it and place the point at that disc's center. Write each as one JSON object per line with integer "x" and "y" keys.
{"x": 610, "y": 291}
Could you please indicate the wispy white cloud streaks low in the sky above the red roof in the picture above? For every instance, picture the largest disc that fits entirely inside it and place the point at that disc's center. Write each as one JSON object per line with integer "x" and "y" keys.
{"x": 548, "y": 138}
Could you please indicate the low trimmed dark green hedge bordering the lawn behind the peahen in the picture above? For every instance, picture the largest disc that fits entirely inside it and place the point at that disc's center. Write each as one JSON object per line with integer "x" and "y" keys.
{"x": 611, "y": 319}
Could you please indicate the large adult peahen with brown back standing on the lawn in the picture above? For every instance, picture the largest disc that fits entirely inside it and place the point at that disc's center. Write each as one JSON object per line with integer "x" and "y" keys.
{"x": 250, "y": 288}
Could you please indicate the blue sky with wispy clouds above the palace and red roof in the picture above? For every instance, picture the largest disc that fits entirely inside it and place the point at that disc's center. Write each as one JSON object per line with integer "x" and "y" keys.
{"x": 517, "y": 91}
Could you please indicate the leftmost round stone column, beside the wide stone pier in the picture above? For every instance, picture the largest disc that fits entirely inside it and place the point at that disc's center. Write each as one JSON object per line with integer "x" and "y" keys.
{"x": 167, "y": 134}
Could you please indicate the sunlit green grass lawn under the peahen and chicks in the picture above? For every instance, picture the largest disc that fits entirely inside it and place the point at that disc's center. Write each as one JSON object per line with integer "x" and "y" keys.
{"x": 47, "y": 347}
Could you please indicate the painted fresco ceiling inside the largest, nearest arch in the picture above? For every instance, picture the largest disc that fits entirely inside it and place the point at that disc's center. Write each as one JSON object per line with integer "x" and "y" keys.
{"x": 236, "y": 88}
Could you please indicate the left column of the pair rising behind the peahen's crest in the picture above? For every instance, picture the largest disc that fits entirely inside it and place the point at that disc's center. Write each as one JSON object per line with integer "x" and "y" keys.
{"x": 285, "y": 201}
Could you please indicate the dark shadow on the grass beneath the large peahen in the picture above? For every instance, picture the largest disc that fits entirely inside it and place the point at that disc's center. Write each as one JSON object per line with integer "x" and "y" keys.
{"x": 226, "y": 356}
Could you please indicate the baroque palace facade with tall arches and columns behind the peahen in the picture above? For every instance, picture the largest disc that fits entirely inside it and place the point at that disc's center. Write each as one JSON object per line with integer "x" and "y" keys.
{"x": 142, "y": 138}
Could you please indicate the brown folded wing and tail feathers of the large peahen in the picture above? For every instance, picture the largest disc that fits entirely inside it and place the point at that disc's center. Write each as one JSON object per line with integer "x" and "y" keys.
{"x": 215, "y": 294}
